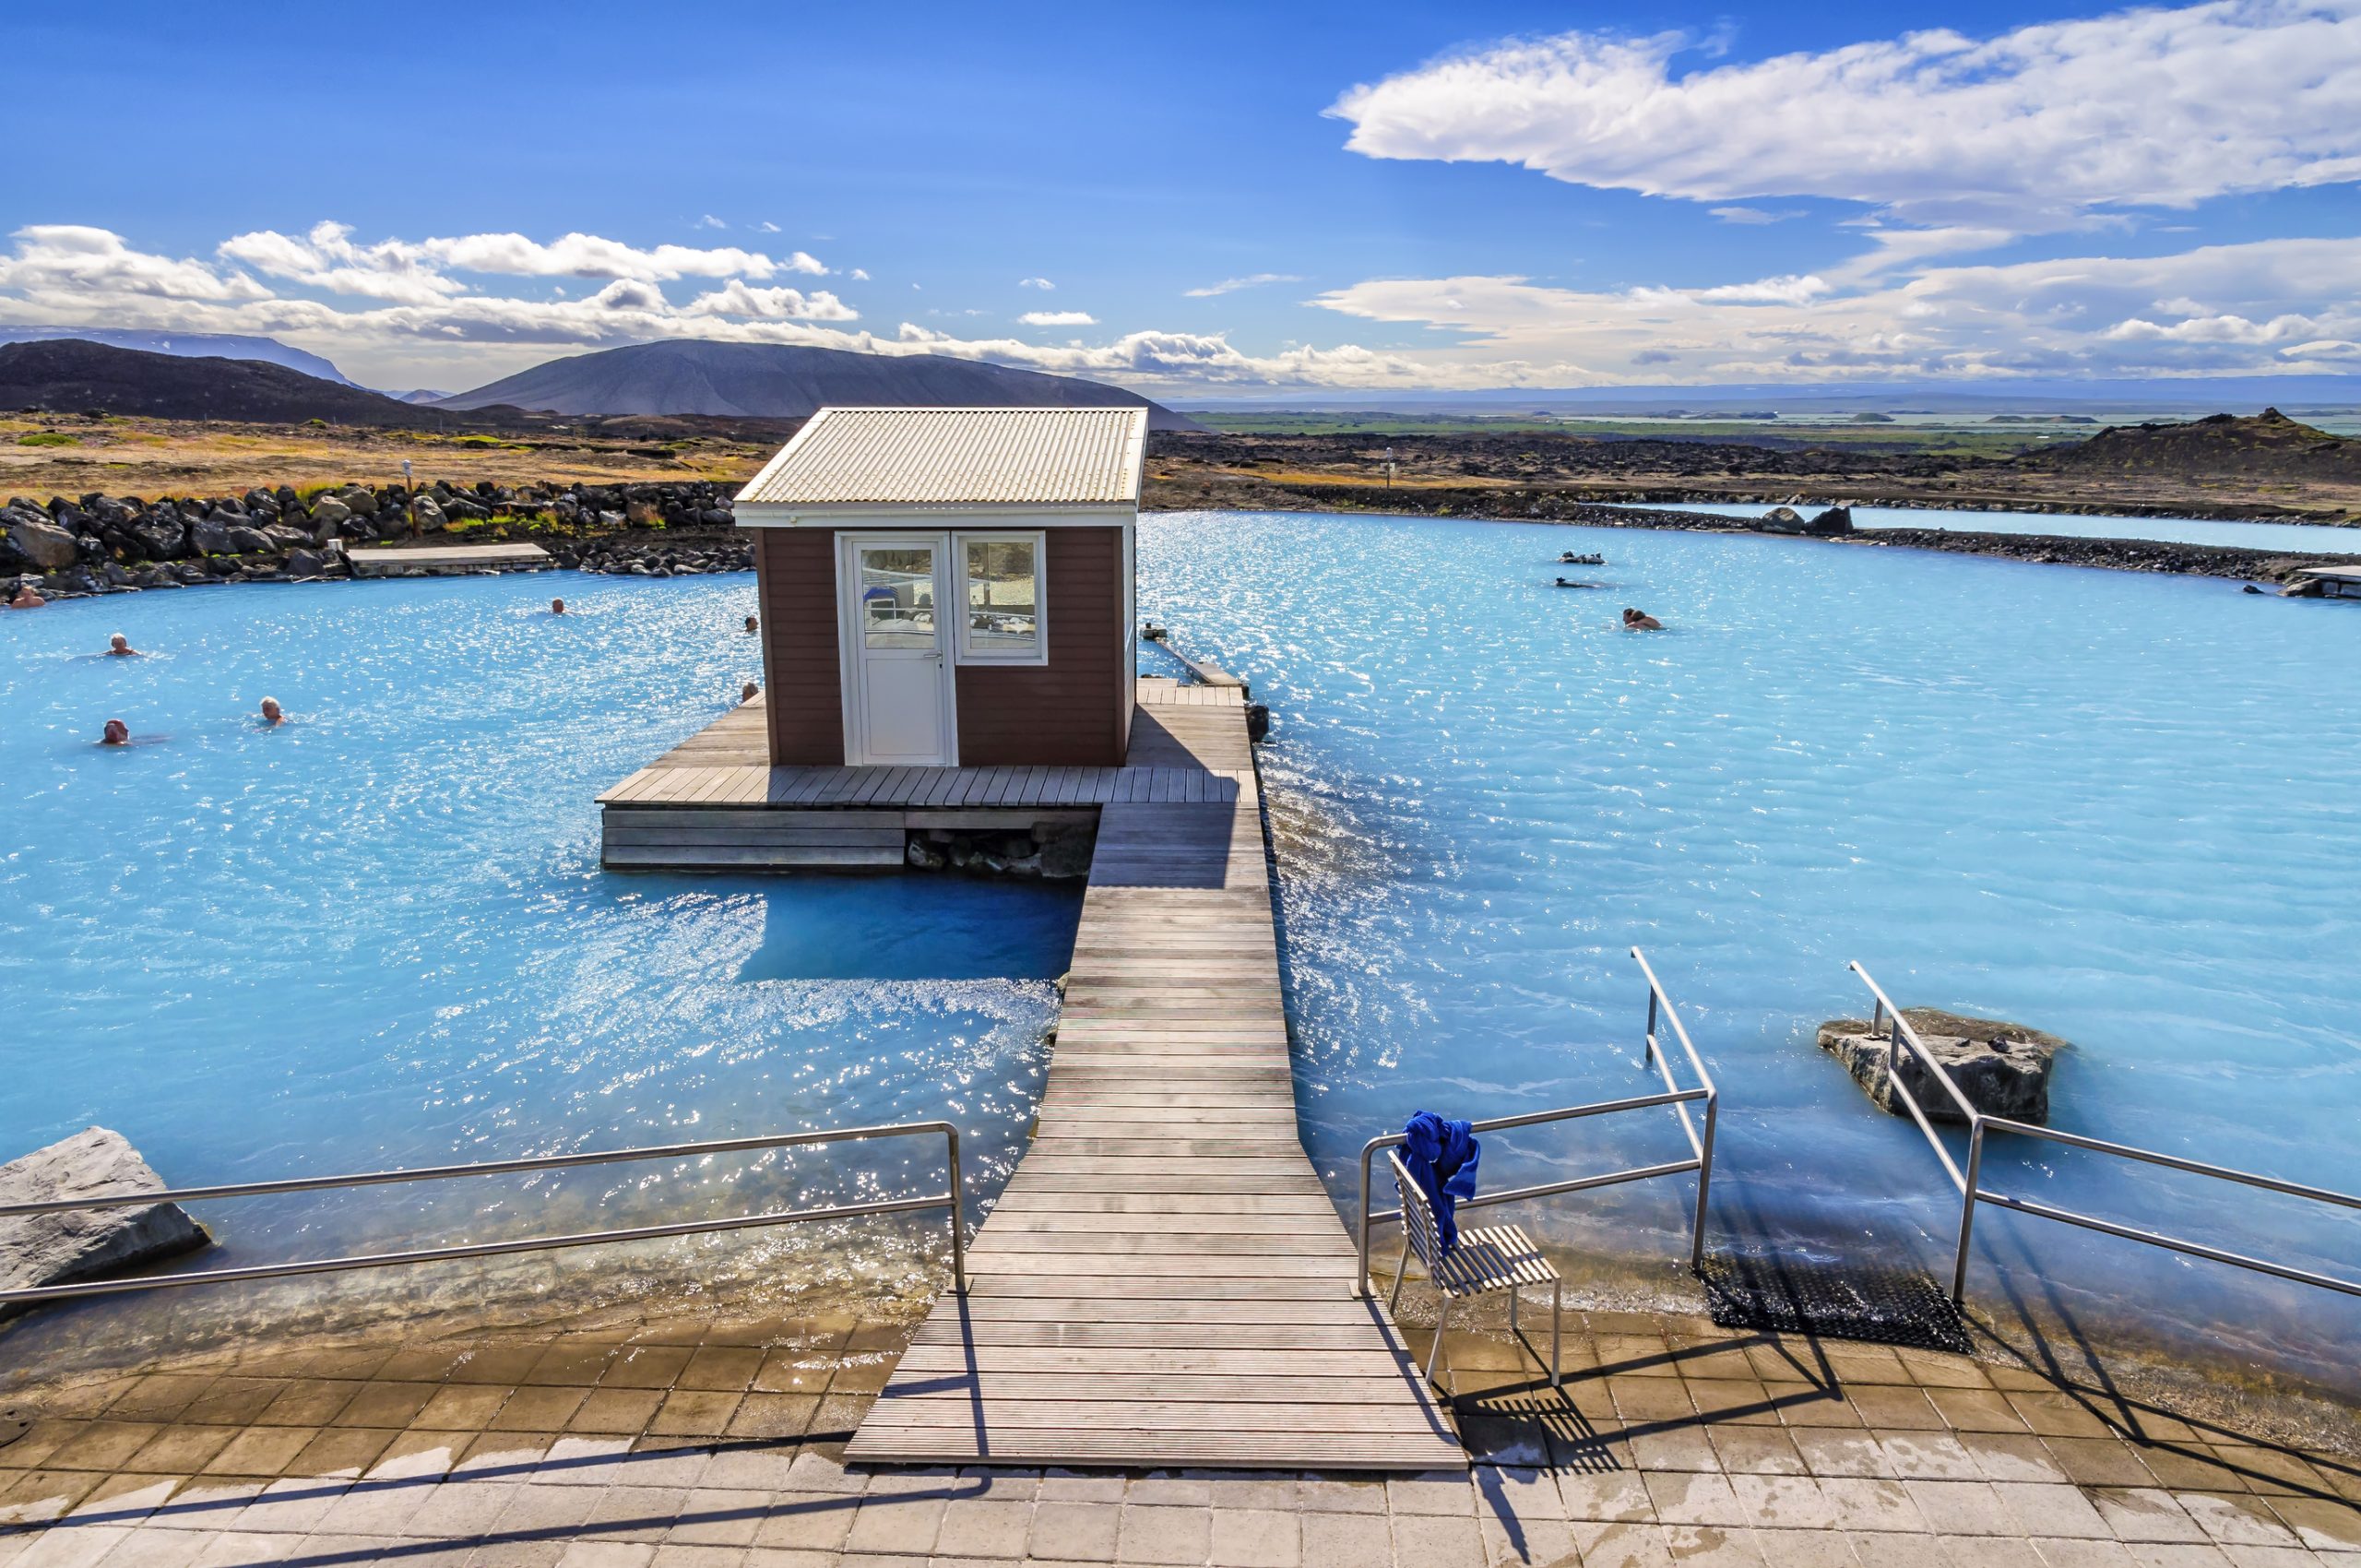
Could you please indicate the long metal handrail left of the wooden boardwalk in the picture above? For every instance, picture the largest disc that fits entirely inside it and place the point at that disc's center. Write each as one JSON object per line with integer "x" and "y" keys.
{"x": 950, "y": 1198}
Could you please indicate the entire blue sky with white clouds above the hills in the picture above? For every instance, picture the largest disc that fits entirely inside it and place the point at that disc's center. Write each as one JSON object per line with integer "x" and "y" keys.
{"x": 1210, "y": 202}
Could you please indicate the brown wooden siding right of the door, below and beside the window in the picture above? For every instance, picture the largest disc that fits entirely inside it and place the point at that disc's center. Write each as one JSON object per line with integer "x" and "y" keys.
{"x": 1071, "y": 712}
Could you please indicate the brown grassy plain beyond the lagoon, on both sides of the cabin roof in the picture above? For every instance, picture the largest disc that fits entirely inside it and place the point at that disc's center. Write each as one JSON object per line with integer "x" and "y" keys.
{"x": 1333, "y": 471}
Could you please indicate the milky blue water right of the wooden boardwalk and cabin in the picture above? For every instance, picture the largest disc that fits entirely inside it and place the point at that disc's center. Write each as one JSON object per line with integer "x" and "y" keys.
{"x": 2114, "y": 806}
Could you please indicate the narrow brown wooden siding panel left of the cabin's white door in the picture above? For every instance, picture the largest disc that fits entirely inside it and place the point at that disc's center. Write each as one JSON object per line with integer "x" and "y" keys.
{"x": 802, "y": 679}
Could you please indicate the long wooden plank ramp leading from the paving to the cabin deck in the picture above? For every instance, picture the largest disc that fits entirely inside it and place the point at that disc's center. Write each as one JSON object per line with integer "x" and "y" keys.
{"x": 1165, "y": 1279}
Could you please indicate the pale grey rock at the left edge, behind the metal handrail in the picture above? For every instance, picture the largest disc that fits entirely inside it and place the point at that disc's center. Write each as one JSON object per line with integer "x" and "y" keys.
{"x": 84, "y": 1243}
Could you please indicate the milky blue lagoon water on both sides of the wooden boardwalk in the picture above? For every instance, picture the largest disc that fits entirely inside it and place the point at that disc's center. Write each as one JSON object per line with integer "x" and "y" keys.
{"x": 2114, "y": 806}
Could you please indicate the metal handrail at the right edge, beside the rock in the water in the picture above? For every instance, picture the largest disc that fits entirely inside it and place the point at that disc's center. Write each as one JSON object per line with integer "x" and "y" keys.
{"x": 1973, "y": 1191}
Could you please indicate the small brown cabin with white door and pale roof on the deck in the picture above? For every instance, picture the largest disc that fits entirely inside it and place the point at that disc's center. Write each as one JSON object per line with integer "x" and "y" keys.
{"x": 950, "y": 587}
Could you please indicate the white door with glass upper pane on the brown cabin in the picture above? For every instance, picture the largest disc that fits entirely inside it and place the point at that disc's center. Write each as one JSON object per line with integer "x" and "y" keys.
{"x": 898, "y": 691}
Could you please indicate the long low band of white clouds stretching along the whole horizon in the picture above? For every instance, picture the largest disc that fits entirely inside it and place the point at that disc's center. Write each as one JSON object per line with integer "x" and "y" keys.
{"x": 2289, "y": 306}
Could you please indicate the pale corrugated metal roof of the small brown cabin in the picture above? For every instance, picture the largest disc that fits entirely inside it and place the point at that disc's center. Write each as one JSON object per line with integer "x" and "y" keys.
{"x": 957, "y": 457}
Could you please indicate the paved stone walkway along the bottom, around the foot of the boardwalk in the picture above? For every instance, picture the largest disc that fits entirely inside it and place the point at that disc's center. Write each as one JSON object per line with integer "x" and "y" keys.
{"x": 717, "y": 1444}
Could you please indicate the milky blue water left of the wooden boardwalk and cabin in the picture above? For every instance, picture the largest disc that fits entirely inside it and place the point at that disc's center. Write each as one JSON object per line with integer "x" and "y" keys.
{"x": 379, "y": 936}
